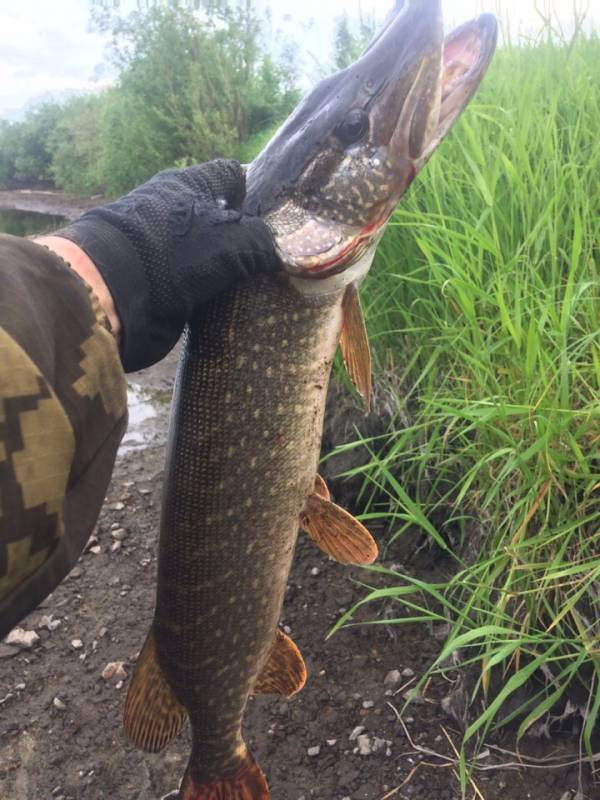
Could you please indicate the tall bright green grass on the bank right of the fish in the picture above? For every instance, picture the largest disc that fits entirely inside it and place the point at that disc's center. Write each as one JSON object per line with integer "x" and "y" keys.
{"x": 485, "y": 298}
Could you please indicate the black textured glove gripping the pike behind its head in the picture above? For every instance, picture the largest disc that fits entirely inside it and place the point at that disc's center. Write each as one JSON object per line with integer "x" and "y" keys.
{"x": 169, "y": 246}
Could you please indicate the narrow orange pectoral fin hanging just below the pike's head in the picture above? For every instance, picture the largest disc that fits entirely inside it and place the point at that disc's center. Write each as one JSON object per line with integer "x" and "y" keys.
{"x": 355, "y": 345}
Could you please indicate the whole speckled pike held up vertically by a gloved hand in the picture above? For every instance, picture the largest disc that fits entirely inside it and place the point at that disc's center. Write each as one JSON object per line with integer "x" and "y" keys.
{"x": 241, "y": 474}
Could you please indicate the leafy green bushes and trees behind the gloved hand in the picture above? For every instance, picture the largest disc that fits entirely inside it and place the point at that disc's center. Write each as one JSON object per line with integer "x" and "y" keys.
{"x": 193, "y": 85}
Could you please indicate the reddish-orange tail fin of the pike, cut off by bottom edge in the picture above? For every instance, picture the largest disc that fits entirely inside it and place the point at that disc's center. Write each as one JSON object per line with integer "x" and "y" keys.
{"x": 248, "y": 783}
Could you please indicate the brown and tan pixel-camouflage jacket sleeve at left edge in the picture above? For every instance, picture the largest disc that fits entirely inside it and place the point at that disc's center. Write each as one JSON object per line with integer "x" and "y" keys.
{"x": 62, "y": 414}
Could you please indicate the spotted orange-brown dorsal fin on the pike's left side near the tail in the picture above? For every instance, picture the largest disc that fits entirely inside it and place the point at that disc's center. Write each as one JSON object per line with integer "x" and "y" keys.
{"x": 153, "y": 715}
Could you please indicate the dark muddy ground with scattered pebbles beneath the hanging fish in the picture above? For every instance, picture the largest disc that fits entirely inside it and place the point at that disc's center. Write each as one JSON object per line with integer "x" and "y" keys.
{"x": 60, "y": 719}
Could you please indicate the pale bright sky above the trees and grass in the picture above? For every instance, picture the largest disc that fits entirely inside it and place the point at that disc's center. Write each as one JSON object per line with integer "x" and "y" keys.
{"x": 47, "y": 48}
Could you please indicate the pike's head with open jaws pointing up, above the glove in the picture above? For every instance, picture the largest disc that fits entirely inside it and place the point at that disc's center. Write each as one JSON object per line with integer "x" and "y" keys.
{"x": 329, "y": 180}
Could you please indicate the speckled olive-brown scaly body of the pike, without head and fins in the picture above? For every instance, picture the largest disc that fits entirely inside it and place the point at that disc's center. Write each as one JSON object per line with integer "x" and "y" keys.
{"x": 246, "y": 432}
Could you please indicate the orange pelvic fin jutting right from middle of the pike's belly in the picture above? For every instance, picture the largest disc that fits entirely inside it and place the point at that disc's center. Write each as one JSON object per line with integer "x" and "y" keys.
{"x": 337, "y": 532}
